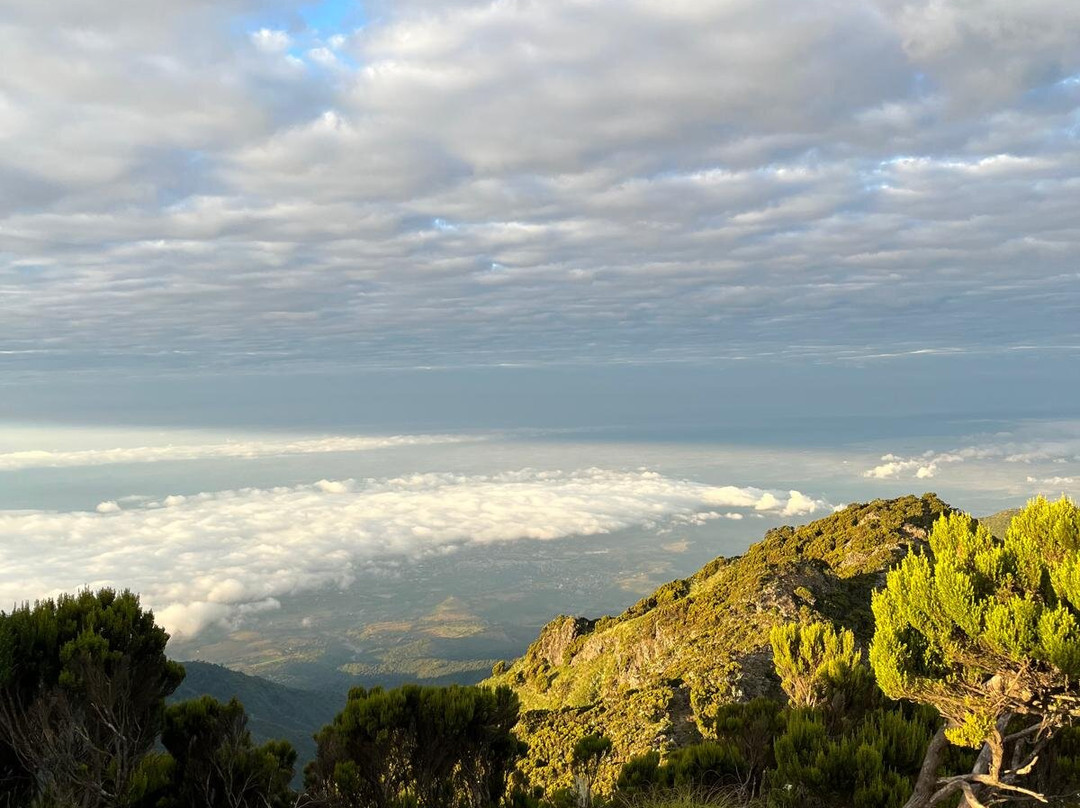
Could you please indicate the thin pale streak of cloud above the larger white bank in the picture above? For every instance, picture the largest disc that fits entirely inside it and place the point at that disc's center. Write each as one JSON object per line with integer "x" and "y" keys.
{"x": 246, "y": 450}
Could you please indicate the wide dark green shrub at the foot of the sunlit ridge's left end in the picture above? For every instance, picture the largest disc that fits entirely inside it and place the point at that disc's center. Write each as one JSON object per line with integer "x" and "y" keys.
{"x": 417, "y": 746}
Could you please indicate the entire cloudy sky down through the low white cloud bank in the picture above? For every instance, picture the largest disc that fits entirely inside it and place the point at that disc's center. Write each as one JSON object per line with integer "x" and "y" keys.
{"x": 385, "y": 278}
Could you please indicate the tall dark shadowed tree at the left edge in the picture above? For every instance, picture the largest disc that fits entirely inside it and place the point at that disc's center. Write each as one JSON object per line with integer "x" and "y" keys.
{"x": 84, "y": 681}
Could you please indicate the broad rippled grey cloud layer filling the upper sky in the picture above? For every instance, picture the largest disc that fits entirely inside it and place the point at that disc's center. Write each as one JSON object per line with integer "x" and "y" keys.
{"x": 220, "y": 184}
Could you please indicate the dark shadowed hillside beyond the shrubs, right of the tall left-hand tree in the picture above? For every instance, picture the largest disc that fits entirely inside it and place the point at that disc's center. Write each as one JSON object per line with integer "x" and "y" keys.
{"x": 275, "y": 711}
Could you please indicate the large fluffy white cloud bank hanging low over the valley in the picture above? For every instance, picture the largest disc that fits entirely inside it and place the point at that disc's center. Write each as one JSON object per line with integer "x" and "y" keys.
{"x": 214, "y": 558}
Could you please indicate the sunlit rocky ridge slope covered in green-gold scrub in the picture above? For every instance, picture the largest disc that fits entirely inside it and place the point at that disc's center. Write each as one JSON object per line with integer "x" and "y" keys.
{"x": 651, "y": 678}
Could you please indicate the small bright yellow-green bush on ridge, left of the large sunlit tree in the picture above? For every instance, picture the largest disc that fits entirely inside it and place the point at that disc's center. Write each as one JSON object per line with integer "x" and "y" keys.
{"x": 820, "y": 667}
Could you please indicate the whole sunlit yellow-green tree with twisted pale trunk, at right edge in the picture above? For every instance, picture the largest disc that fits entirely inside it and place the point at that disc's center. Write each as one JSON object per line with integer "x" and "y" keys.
{"x": 989, "y": 634}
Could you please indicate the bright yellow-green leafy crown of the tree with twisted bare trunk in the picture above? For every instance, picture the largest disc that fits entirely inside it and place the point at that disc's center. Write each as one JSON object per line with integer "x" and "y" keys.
{"x": 952, "y": 626}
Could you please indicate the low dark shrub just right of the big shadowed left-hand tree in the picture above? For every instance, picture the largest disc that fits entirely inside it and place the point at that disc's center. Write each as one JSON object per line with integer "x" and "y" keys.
{"x": 214, "y": 764}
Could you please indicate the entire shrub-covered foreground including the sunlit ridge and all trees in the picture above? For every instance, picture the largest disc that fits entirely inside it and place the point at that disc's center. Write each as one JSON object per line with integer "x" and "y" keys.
{"x": 896, "y": 655}
